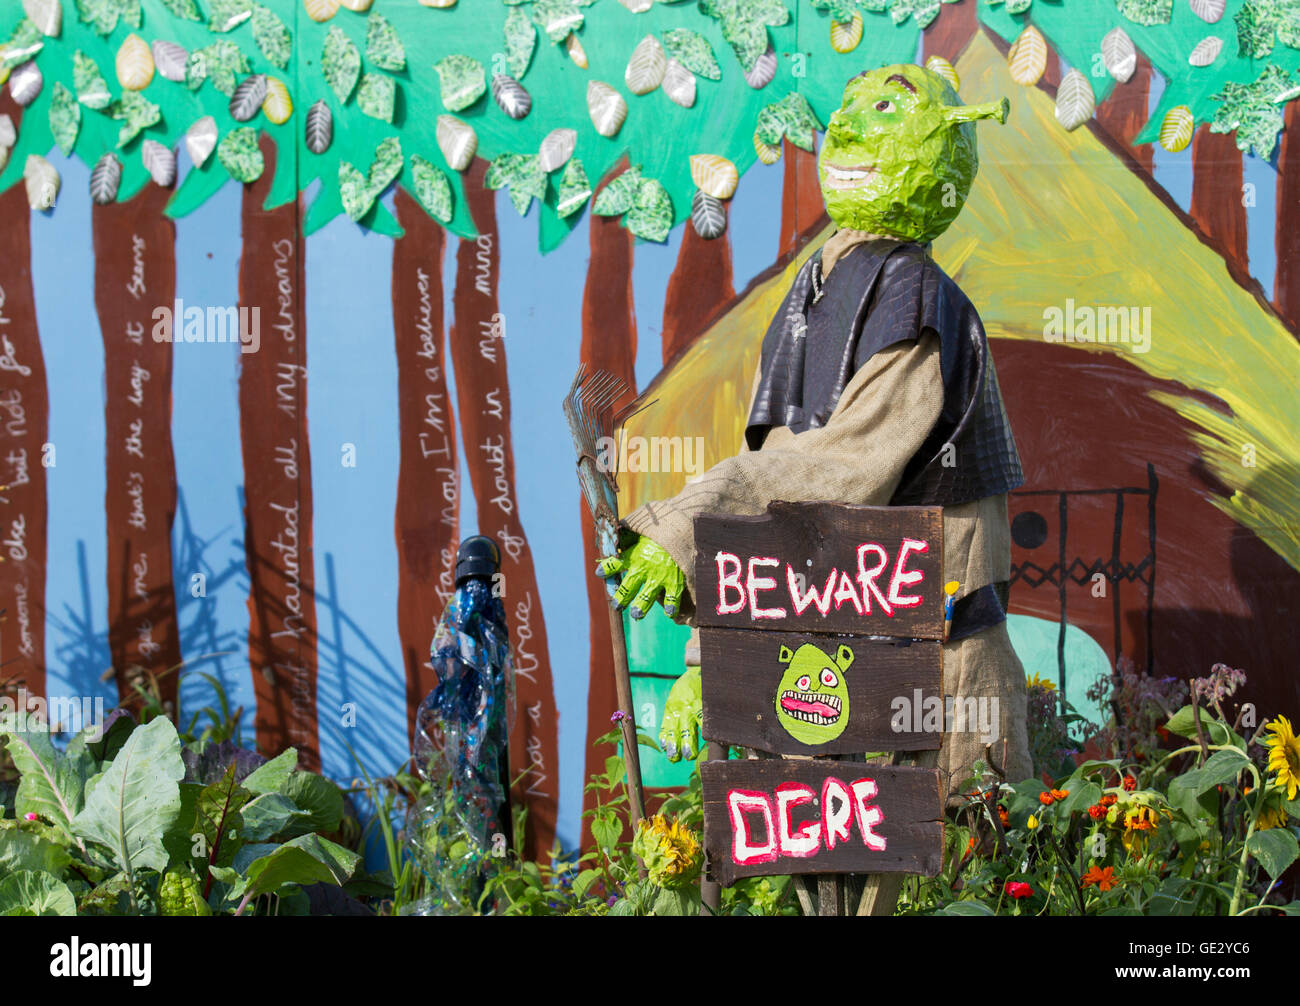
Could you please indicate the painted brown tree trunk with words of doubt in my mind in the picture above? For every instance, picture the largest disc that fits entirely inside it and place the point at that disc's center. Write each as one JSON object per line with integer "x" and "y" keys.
{"x": 483, "y": 400}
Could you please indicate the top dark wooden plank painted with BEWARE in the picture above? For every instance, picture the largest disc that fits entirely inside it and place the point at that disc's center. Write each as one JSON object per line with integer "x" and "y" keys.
{"x": 824, "y": 567}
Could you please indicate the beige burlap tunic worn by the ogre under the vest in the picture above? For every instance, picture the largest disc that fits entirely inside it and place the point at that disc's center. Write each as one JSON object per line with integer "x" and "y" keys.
{"x": 859, "y": 457}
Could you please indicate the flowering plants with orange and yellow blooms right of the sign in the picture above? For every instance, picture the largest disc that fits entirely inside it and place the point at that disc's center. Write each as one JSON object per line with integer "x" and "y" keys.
{"x": 1199, "y": 830}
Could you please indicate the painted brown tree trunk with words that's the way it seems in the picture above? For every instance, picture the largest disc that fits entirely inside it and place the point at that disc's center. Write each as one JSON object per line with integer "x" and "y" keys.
{"x": 135, "y": 275}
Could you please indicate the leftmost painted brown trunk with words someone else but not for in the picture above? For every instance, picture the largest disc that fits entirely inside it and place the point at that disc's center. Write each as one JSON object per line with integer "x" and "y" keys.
{"x": 25, "y": 417}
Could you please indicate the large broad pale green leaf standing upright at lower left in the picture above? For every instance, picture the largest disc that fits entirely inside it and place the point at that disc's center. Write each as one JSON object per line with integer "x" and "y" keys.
{"x": 135, "y": 801}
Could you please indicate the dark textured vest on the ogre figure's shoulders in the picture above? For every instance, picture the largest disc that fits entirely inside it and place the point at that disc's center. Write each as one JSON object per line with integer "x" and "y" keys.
{"x": 879, "y": 294}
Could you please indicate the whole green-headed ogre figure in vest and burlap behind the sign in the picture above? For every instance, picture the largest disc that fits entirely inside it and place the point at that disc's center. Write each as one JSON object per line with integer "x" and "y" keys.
{"x": 876, "y": 388}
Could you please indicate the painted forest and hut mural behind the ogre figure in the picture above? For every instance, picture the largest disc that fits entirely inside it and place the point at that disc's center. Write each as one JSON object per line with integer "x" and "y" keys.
{"x": 291, "y": 294}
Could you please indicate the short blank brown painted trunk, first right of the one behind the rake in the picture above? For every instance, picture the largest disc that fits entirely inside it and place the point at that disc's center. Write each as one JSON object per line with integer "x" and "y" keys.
{"x": 700, "y": 285}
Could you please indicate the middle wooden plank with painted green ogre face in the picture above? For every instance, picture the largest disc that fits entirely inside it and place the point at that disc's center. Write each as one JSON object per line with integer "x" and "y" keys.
{"x": 861, "y": 695}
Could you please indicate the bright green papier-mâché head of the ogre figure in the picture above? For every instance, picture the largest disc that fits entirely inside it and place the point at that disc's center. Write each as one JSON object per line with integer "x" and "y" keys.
{"x": 900, "y": 154}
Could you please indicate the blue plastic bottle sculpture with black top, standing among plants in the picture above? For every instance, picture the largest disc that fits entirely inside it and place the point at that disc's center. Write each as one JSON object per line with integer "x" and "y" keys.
{"x": 462, "y": 732}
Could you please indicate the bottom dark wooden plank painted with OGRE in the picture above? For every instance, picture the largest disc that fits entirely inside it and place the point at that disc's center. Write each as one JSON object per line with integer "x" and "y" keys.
{"x": 890, "y": 822}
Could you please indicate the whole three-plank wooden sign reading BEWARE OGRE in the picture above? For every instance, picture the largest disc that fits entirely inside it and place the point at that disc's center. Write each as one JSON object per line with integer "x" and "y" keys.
{"x": 821, "y": 635}
